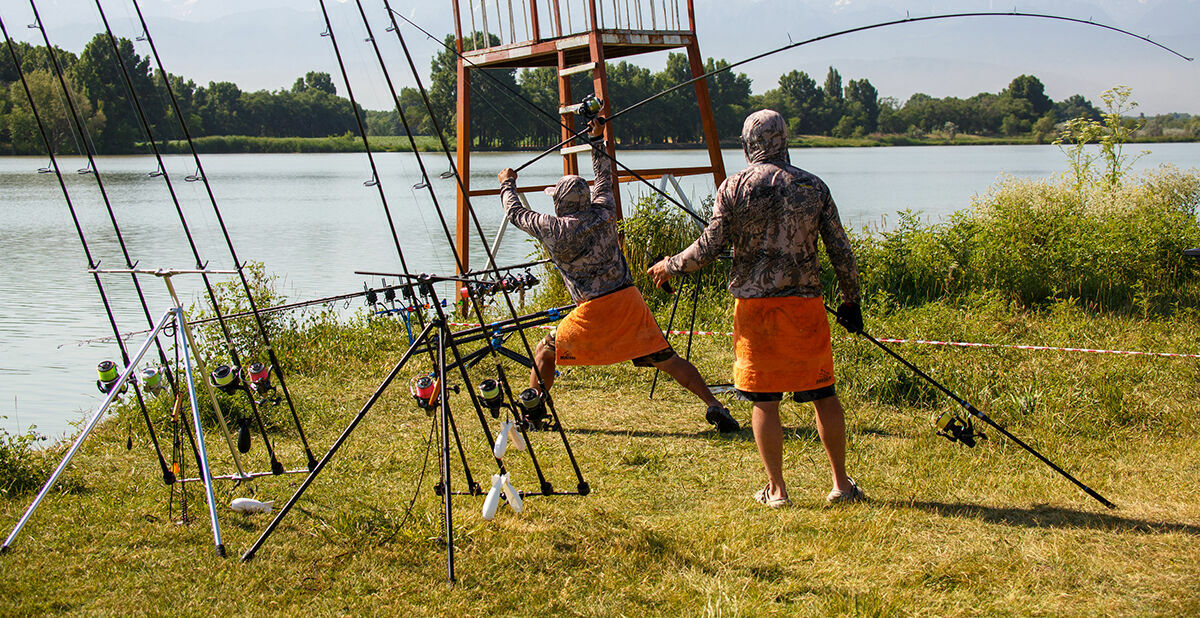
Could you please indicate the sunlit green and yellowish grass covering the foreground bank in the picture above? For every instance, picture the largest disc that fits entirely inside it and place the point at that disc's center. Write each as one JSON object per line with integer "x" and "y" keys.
{"x": 670, "y": 527}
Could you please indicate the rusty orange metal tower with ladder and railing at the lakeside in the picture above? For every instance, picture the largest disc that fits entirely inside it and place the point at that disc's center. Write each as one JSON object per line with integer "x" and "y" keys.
{"x": 574, "y": 37}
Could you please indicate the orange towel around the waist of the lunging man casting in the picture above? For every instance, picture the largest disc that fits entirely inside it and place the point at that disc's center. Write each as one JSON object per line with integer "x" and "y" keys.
{"x": 609, "y": 329}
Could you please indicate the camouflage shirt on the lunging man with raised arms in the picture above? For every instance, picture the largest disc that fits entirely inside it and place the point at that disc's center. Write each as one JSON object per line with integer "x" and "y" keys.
{"x": 581, "y": 237}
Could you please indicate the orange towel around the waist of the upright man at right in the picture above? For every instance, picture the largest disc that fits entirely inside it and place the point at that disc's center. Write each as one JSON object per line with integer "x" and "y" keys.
{"x": 782, "y": 345}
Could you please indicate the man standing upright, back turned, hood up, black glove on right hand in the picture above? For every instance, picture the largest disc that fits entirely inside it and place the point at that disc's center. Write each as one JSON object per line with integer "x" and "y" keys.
{"x": 772, "y": 214}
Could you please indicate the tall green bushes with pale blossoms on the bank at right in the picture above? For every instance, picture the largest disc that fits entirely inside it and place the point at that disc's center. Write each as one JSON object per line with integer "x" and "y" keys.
{"x": 1113, "y": 247}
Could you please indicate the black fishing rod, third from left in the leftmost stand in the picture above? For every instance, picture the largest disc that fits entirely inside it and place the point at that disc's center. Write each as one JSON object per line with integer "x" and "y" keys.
{"x": 219, "y": 379}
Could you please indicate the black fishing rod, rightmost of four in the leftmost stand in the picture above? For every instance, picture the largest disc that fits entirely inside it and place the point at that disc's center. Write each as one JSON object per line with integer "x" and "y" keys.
{"x": 275, "y": 365}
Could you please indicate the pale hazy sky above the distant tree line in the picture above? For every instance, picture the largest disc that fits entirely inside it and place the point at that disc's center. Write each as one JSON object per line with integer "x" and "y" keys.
{"x": 268, "y": 44}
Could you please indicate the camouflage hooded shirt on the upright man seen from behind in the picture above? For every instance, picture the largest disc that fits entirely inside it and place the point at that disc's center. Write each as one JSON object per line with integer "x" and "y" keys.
{"x": 772, "y": 214}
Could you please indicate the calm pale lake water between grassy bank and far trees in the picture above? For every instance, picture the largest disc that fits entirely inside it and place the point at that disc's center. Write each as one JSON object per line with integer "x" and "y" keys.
{"x": 311, "y": 220}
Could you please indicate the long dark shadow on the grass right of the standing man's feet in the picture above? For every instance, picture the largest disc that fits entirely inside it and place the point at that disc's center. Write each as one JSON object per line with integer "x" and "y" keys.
{"x": 1047, "y": 518}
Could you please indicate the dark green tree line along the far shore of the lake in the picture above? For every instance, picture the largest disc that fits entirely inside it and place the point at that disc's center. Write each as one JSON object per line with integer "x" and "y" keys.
{"x": 501, "y": 119}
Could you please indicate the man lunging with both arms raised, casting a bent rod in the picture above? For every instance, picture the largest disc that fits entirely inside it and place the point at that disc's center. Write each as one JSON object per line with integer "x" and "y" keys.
{"x": 611, "y": 322}
